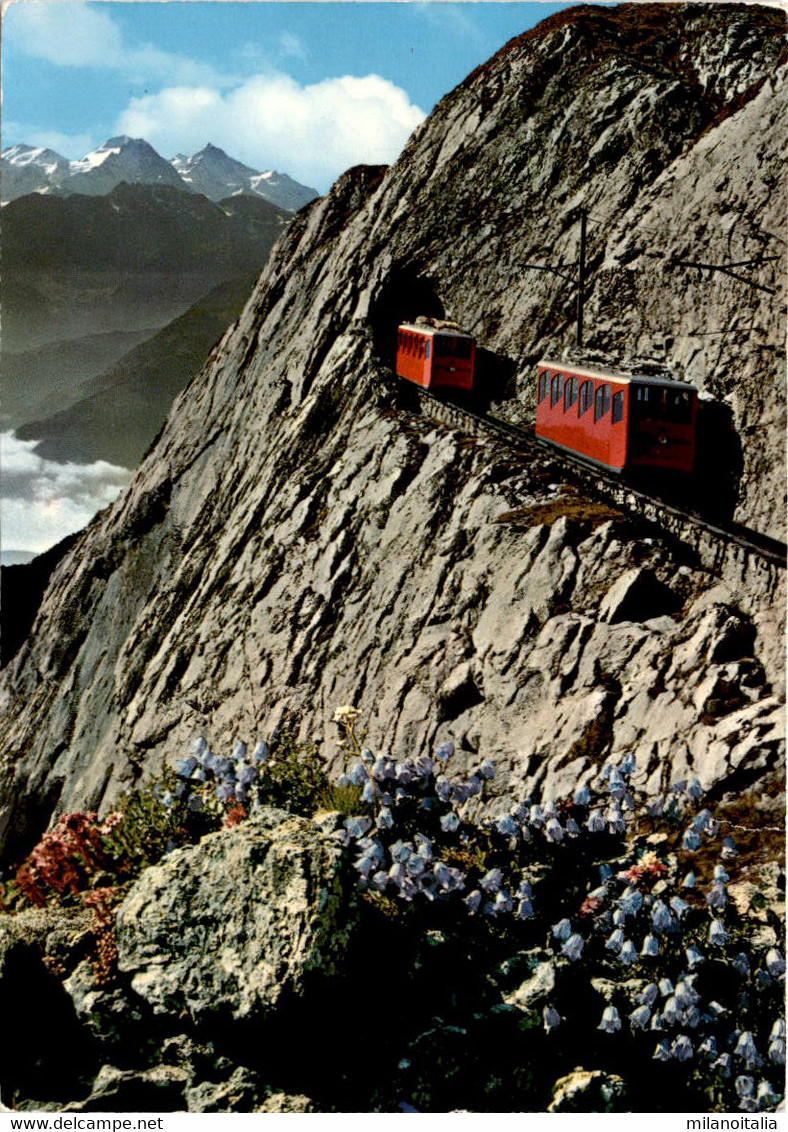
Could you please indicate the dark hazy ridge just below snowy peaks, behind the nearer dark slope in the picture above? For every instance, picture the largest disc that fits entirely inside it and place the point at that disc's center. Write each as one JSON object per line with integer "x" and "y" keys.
{"x": 132, "y": 260}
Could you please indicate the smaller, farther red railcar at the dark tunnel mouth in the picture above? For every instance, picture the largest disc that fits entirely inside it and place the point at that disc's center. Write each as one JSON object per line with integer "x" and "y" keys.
{"x": 435, "y": 358}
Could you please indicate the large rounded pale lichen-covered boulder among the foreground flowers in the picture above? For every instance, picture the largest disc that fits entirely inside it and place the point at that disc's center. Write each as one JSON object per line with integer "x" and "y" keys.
{"x": 239, "y": 923}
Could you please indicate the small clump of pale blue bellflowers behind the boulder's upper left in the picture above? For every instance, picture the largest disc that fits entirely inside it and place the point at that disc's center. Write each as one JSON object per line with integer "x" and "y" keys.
{"x": 204, "y": 779}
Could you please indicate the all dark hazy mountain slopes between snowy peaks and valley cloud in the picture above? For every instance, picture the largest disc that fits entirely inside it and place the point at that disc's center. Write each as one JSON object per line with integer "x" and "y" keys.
{"x": 113, "y": 303}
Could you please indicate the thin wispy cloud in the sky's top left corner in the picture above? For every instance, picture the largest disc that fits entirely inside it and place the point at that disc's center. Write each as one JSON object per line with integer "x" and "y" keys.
{"x": 81, "y": 36}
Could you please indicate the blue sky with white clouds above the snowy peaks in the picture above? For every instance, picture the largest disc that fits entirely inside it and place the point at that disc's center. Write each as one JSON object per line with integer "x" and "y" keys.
{"x": 307, "y": 89}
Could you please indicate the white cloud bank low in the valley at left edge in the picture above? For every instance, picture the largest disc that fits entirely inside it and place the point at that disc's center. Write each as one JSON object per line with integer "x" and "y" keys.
{"x": 44, "y": 502}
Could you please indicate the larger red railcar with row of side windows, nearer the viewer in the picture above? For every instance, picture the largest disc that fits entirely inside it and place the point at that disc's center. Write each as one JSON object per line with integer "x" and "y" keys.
{"x": 618, "y": 419}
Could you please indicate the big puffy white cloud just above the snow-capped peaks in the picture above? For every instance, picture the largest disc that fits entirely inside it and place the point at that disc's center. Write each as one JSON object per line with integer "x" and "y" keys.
{"x": 314, "y": 133}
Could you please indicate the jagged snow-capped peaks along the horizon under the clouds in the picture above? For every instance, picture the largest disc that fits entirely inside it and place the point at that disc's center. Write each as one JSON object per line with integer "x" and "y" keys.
{"x": 210, "y": 173}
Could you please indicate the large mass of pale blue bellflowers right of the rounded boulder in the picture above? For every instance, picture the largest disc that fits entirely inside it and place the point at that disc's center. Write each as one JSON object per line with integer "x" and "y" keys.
{"x": 638, "y": 923}
